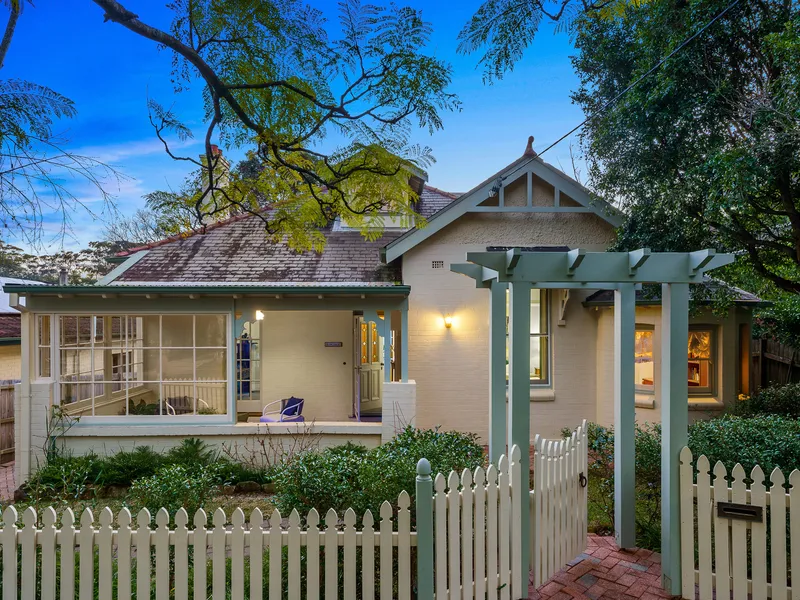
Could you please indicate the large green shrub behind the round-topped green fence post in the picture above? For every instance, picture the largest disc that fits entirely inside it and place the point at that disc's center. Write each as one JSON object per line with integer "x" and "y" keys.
{"x": 392, "y": 467}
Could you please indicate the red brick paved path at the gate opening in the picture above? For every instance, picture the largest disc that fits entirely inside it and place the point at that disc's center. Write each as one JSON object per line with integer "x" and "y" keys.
{"x": 605, "y": 571}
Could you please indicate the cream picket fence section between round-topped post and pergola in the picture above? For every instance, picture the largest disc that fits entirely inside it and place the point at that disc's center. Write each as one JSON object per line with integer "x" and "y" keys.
{"x": 477, "y": 538}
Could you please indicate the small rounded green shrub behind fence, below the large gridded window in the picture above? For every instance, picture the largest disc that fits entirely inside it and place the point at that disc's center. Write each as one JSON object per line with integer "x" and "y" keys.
{"x": 173, "y": 487}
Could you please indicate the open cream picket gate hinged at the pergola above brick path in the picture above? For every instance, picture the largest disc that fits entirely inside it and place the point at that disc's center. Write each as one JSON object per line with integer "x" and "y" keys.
{"x": 559, "y": 517}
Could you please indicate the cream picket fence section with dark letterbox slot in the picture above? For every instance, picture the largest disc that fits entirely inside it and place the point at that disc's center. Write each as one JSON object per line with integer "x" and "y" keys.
{"x": 732, "y": 554}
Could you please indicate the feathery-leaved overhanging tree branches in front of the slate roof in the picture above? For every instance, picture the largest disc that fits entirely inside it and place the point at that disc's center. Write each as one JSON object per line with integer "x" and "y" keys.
{"x": 272, "y": 79}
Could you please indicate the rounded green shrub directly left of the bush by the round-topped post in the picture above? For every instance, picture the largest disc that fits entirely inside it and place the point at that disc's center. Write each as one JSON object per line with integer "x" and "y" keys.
{"x": 321, "y": 480}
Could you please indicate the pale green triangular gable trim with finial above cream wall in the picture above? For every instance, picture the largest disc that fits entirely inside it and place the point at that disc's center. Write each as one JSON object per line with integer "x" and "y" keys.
{"x": 469, "y": 201}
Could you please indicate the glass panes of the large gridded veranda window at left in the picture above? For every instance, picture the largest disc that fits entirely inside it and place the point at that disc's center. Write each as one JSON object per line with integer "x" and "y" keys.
{"x": 147, "y": 365}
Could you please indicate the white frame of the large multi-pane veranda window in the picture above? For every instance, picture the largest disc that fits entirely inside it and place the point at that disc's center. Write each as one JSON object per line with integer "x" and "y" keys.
{"x": 229, "y": 383}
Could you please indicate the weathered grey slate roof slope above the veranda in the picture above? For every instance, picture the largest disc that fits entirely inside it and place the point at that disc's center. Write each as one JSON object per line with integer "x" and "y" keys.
{"x": 239, "y": 252}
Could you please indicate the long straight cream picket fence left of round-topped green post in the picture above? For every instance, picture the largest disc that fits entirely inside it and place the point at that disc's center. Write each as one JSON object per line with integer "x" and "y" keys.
{"x": 171, "y": 553}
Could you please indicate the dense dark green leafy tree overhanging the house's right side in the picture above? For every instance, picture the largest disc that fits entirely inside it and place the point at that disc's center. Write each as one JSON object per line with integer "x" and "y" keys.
{"x": 706, "y": 150}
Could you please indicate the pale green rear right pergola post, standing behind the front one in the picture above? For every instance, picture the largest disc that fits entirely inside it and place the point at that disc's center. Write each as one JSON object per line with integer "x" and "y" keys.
{"x": 624, "y": 416}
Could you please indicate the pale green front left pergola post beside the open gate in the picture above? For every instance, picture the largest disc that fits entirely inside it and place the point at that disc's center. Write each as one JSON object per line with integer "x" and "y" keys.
{"x": 519, "y": 393}
